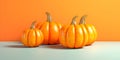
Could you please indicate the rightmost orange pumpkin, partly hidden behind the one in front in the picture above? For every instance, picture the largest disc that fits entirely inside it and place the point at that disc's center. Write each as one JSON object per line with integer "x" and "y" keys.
{"x": 91, "y": 33}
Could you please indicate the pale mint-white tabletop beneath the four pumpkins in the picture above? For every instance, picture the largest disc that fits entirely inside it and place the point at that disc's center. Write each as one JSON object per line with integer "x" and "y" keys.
{"x": 98, "y": 51}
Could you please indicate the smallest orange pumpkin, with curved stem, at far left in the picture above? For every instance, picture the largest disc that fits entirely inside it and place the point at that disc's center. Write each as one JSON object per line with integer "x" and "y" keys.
{"x": 32, "y": 37}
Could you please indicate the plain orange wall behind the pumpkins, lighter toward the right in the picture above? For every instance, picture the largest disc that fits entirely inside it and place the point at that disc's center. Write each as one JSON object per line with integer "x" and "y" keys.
{"x": 17, "y": 15}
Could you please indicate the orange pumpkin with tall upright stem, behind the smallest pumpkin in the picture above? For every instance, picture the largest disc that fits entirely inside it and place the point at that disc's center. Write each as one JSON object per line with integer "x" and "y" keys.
{"x": 50, "y": 30}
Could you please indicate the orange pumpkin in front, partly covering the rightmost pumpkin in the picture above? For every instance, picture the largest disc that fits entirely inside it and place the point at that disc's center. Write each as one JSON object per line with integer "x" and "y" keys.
{"x": 72, "y": 36}
